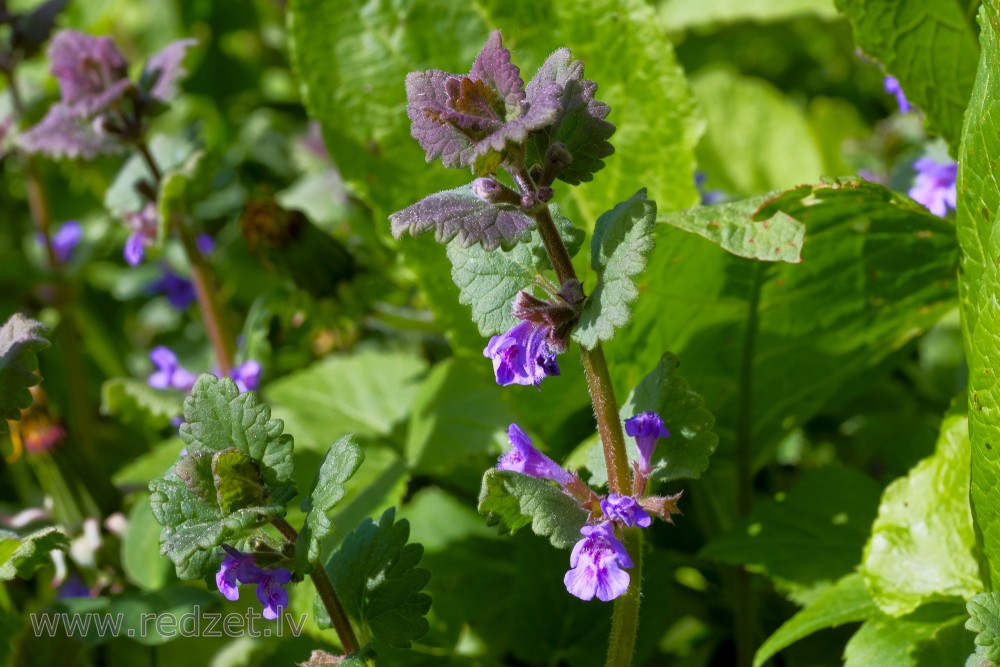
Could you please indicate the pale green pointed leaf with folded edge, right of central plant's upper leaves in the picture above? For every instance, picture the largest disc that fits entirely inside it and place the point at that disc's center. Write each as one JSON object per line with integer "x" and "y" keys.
{"x": 738, "y": 230}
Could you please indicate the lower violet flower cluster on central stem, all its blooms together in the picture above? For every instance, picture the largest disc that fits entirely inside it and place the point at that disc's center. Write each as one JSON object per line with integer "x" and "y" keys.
{"x": 598, "y": 560}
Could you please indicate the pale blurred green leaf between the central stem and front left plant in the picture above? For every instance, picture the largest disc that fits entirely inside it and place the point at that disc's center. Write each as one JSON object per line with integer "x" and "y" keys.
{"x": 365, "y": 393}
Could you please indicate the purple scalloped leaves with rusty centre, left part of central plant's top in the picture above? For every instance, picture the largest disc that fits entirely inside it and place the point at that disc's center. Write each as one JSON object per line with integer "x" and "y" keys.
{"x": 468, "y": 121}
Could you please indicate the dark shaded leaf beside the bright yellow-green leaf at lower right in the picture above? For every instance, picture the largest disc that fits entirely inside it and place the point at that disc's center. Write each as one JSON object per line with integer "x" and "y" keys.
{"x": 813, "y": 533}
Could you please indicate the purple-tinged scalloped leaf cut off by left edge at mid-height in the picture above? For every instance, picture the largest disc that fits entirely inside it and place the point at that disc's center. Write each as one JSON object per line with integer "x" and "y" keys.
{"x": 21, "y": 338}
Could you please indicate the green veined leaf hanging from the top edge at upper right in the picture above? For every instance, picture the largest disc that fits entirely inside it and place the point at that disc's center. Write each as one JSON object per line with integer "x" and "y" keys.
{"x": 929, "y": 46}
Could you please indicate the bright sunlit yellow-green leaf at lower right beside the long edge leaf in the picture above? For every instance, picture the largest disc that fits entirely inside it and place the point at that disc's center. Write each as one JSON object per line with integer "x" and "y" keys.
{"x": 922, "y": 543}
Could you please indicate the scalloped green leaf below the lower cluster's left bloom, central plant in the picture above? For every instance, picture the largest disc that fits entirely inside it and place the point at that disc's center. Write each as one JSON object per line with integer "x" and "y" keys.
{"x": 511, "y": 501}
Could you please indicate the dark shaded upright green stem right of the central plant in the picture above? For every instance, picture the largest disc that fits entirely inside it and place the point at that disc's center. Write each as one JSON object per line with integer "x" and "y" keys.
{"x": 744, "y": 611}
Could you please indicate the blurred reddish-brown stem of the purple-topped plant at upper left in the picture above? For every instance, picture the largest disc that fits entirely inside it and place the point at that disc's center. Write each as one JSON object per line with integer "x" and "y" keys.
{"x": 201, "y": 275}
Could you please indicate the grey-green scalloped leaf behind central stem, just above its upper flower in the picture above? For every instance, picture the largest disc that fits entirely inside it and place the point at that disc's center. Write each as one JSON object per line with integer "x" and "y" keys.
{"x": 489, "y": 281}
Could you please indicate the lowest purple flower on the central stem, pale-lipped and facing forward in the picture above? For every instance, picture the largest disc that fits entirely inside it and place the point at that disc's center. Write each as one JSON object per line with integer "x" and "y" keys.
{"x": 595, "y": 563}
